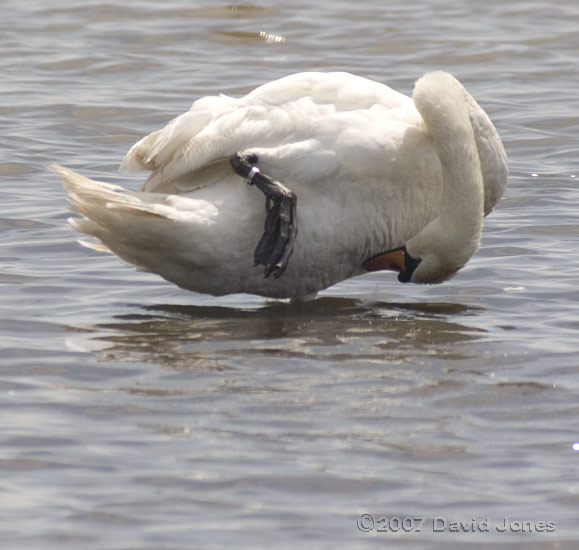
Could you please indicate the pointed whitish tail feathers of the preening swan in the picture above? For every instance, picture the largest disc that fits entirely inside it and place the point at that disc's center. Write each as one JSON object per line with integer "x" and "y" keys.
{"x": 116, "y": 216}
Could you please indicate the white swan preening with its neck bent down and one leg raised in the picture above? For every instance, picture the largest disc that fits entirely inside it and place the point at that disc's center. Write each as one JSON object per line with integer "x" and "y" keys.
{"x": 357, "y": 177}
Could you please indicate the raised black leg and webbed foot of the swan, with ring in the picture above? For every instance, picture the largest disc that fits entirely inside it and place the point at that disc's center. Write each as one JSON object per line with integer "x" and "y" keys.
{"x": 277, "y": 242}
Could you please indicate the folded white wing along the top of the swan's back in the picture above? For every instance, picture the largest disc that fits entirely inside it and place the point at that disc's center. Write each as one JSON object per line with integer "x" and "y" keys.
{"x": 191, "y": 151}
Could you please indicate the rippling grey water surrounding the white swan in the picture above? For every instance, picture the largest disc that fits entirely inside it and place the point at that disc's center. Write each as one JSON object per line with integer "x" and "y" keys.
{"x": 138, "y": 416}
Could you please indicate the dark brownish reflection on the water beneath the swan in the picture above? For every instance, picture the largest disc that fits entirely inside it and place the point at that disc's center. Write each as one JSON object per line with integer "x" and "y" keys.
{"x": 329, "y": 329}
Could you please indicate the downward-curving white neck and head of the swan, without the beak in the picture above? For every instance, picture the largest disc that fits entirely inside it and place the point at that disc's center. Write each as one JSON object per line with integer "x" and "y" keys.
{"x": 447, "y": 243}
